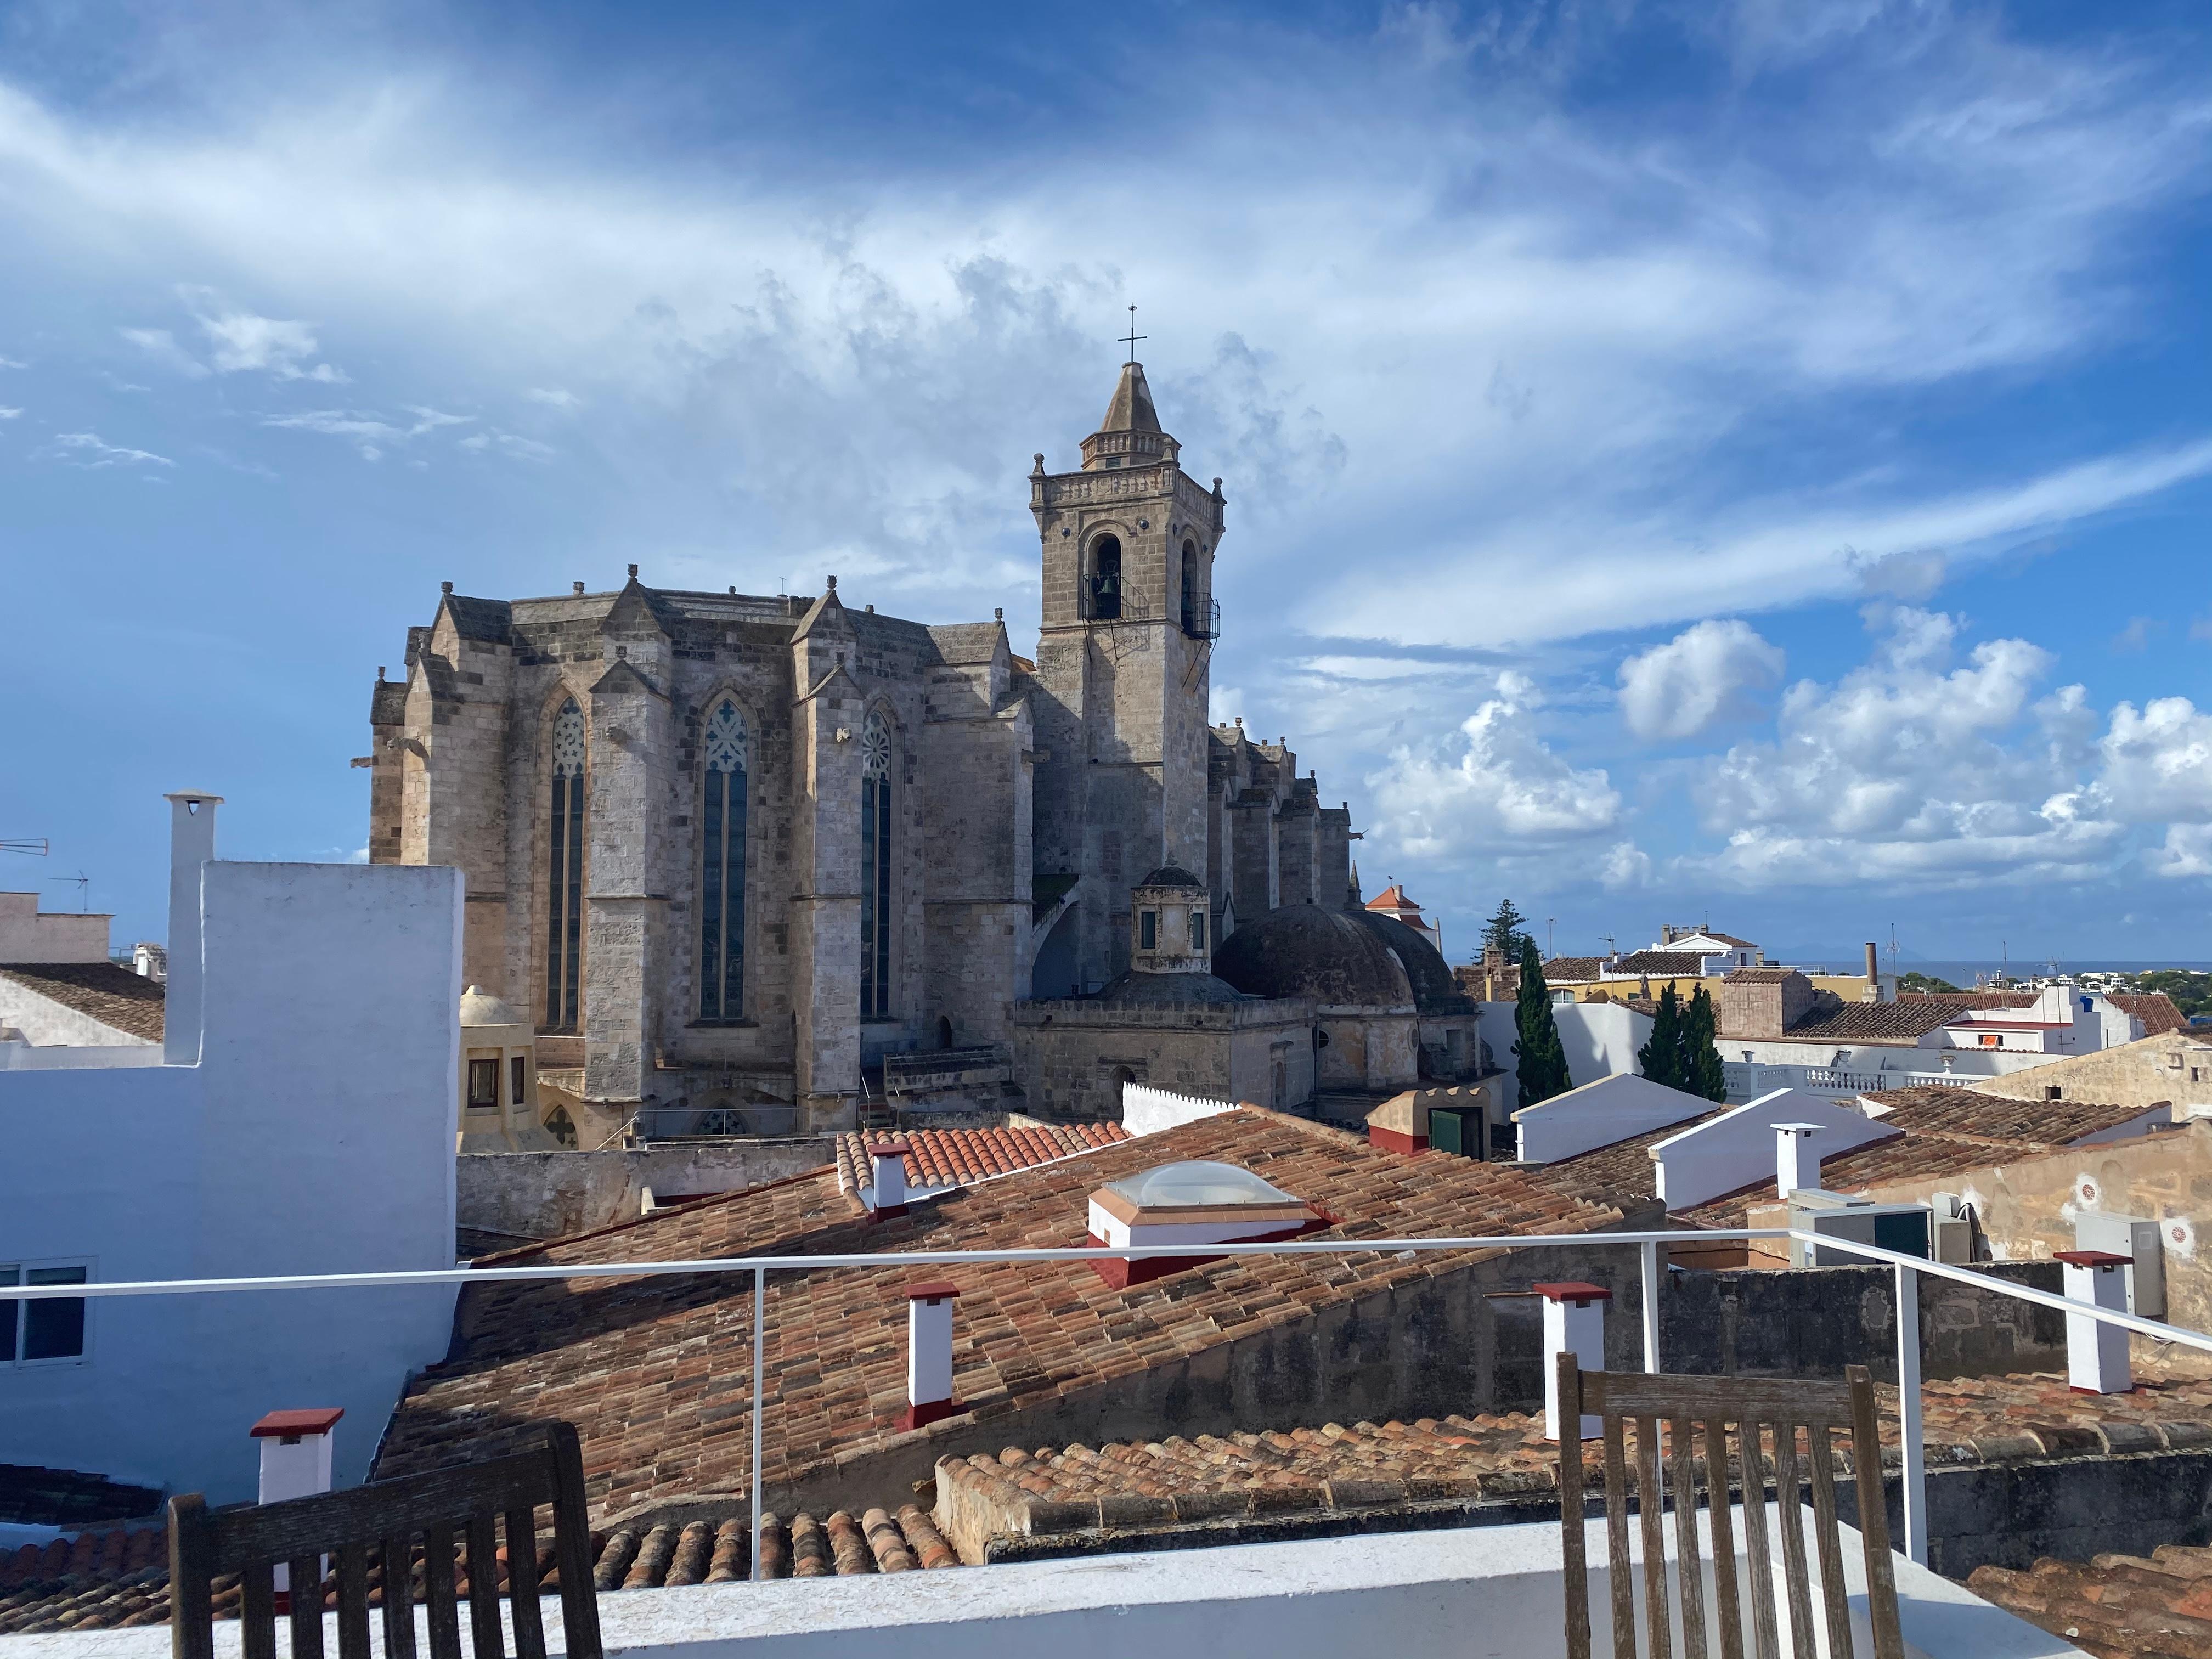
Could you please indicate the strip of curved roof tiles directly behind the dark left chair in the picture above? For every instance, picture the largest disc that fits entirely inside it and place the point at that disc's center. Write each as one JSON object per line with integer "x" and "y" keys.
{"x": 116, "y": 1578}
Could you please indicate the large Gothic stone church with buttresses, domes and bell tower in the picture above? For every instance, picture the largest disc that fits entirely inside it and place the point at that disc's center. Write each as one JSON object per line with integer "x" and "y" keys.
{"x": 760, "y": 853}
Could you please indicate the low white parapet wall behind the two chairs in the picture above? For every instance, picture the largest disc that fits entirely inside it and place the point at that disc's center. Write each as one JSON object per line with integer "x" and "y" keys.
{"x": 1457, "y": 1594}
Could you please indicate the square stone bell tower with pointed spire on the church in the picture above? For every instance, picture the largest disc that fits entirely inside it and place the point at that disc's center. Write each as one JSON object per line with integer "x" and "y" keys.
{"x": 1125, "y": 662}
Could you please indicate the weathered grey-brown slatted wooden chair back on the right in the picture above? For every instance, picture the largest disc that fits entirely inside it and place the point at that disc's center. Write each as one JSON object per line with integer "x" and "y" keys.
{"x": 1711, "y": 1408}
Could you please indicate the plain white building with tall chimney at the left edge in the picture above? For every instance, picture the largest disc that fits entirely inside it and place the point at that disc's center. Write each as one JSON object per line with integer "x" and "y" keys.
{"x": 295, "y": 1118}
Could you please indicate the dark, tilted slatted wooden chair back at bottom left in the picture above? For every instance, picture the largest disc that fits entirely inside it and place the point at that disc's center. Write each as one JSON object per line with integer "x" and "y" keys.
{"x": 468, "y": 1501}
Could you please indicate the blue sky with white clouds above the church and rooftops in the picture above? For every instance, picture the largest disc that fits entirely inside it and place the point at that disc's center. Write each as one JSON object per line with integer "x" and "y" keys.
{"x": 1682, "y": 459}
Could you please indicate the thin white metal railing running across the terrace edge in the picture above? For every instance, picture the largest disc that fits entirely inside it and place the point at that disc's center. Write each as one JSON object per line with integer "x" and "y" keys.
{"x": 1649, "y": 1244}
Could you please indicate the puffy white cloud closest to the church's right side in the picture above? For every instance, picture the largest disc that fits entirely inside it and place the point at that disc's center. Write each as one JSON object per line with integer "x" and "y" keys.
{"x": 1499, "y": 789}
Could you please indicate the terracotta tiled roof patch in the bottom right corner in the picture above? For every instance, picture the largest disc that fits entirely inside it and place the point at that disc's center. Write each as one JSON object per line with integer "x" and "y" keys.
{"x": 2116, "y": 1607}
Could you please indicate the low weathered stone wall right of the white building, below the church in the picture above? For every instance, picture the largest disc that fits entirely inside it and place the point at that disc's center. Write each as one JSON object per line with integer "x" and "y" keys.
{"x": 545, "y": 1196}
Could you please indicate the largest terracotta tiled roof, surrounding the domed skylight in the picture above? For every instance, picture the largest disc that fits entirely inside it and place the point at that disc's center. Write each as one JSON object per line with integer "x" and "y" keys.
{"x": 656, "y": 1373}
